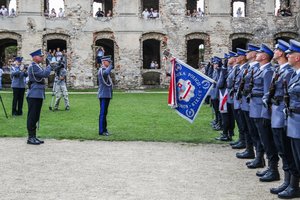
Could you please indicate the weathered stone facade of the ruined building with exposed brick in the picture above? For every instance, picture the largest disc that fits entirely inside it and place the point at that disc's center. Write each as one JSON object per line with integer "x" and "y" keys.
{"x": 127, "y": 29}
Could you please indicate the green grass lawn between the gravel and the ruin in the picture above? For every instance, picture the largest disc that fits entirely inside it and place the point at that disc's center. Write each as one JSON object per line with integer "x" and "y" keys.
{"x": 131, "y": 117}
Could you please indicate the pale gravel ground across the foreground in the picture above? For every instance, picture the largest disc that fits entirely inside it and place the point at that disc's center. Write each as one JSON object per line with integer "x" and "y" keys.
{"x": 74, "y": 170}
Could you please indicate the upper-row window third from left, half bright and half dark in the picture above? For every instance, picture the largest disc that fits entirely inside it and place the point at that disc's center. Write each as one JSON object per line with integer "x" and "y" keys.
{"x": 102, "y": 8}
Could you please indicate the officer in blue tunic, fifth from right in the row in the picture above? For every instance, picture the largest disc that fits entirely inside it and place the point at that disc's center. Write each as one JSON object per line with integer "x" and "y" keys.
{"x": 240, "y": 108}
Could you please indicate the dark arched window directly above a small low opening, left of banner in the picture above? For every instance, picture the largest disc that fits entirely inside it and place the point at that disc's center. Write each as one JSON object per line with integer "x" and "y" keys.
{"x": 151, "y": 54}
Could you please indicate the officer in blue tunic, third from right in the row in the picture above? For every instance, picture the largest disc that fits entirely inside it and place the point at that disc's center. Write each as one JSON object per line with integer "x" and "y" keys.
{"x": 261, "y": 115}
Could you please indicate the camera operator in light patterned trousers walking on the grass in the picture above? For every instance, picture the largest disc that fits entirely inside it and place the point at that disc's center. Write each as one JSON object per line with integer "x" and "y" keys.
{"x": 61, "y": 86}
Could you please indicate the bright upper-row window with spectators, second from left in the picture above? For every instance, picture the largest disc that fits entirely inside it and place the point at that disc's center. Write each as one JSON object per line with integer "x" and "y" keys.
{"x": 54, "y": 8}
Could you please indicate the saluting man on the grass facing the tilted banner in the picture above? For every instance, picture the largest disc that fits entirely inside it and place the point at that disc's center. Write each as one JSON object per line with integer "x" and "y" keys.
{"x": 104, "y": 92}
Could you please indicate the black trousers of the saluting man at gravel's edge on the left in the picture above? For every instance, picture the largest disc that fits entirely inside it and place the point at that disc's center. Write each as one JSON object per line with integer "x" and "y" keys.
{"x": 33, "y": 116}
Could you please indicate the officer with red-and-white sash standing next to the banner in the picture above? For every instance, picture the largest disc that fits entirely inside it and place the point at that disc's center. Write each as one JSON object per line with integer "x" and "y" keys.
{"x": 225, "y": 109}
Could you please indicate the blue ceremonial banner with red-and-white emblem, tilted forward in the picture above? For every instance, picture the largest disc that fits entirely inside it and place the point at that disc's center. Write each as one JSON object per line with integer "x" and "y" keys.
{"x": 188, "y": 89}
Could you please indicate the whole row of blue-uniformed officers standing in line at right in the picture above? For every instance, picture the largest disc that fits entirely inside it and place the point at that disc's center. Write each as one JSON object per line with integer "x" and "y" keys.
{"x": 264, "y": 102}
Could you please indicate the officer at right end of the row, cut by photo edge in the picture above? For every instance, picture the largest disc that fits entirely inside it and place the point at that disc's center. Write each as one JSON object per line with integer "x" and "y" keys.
{"x": 293, "y": 125}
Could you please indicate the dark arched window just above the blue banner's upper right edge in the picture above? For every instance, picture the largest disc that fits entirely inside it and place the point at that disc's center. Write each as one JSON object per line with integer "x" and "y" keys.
{"x": 195, "y": 52}
